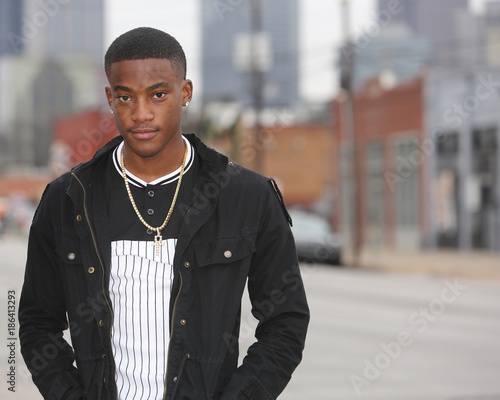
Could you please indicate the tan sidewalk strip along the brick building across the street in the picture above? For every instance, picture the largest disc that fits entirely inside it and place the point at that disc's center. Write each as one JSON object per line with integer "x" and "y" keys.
{"x": 451, "y": 263}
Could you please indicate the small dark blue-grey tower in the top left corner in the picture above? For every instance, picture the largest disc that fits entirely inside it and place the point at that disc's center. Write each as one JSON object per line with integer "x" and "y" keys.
{"x": 10, "y": 24}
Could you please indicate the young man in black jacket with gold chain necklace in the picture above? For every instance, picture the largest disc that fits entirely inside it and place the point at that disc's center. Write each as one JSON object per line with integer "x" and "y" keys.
{"x": 145, "y": 250}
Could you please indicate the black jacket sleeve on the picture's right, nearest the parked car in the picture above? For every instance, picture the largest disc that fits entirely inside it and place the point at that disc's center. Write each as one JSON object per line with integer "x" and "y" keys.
{"x": 278, "y": 302}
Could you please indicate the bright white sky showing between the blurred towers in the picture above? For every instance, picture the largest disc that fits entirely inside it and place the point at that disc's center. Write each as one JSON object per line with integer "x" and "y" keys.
{"x": 320, "y": 34}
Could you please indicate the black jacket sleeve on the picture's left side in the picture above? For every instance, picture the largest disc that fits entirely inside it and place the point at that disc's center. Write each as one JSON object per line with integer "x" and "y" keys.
{"x": 42, "y": 312}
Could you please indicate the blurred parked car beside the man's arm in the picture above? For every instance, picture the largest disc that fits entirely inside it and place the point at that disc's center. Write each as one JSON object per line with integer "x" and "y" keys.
{"x": 314, "y": 238}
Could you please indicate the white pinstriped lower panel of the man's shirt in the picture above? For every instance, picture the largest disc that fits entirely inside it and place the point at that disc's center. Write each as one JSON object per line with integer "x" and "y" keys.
{"x": 140, "y": 292}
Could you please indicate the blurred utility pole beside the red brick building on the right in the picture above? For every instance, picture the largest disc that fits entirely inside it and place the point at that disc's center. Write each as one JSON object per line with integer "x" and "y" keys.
{"x": 347, "y": 84}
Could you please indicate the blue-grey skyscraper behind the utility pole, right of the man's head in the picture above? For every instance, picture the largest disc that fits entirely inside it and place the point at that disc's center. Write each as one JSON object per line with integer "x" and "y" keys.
{"x": 226, "y": 28}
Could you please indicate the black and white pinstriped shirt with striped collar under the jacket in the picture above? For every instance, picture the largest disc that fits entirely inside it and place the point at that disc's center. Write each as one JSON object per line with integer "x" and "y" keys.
{"x": 140, "y": 286}
